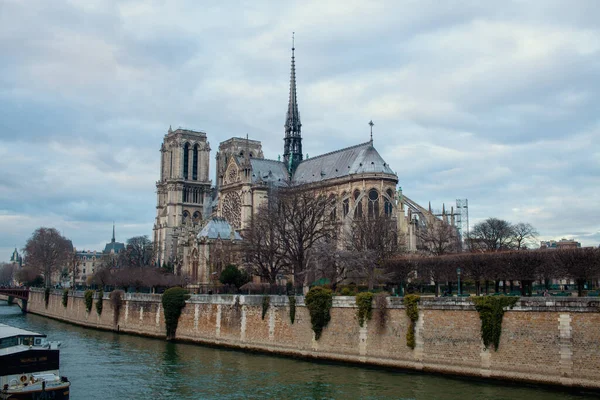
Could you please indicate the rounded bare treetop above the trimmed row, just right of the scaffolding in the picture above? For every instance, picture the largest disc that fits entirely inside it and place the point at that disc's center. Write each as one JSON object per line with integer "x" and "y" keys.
{"x": 493, "y": 234}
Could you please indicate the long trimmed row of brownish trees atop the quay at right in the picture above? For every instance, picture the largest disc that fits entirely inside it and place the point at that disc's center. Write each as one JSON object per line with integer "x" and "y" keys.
{"x": 579, "y": 265}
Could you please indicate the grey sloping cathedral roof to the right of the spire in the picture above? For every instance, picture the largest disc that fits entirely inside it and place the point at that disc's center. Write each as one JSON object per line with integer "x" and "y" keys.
{"x": 359, "y": 159}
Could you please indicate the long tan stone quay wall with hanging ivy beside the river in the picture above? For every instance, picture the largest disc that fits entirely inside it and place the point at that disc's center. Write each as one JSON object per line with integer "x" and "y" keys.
{"x": 544, "y": 340}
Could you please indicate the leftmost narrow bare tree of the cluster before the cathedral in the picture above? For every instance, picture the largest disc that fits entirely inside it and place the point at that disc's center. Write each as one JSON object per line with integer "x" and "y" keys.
{"x": 263, "y": 245}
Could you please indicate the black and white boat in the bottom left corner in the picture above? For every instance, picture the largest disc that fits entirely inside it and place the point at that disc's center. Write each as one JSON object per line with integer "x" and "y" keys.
{"x": 29, "y": 366}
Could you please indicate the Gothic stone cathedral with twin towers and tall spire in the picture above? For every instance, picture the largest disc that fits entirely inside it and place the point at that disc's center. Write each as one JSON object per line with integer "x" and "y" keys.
{"x": 197, "y": 226}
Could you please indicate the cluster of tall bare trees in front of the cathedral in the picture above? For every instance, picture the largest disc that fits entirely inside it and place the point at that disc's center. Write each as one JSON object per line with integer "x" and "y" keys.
{"x": 297, "y": 233}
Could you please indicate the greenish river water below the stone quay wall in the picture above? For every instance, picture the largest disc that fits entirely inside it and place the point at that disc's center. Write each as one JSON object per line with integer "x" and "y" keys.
{"x": 105, "y": 365}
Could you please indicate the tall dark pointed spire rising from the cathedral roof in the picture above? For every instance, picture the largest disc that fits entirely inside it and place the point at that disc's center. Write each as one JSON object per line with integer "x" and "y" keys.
{"x": 292, "y": 153}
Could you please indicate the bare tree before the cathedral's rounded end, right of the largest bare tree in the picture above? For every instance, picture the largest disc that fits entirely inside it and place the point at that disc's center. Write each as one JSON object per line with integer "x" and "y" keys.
{"x": 375, "y": 236}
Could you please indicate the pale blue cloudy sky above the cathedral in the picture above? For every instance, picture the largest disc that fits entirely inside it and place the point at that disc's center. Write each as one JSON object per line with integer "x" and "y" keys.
{"x": 491, "y": 101}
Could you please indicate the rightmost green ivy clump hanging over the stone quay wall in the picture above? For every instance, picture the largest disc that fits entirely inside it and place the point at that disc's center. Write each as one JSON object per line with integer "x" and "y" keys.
{"x": 491, "y": 312}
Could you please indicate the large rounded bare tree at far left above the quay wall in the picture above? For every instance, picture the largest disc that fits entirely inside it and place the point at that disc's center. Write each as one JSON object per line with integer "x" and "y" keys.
{"x": 46, "y": 251}
